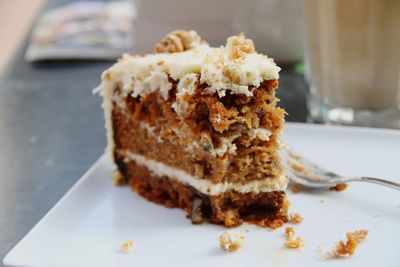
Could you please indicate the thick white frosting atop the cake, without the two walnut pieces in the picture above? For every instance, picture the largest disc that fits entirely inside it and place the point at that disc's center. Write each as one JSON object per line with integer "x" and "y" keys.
{"x": 141, "y": 75}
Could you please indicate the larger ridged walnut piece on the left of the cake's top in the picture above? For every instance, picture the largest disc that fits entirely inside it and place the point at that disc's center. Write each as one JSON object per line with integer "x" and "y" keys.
{"x": 178, "y": 41}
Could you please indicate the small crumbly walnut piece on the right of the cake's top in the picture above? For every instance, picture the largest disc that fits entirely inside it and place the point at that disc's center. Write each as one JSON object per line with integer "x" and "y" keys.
{"x": 239, "y": 46}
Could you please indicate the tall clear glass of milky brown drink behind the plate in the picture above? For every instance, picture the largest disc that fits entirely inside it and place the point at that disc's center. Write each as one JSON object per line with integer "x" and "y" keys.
{"x": 352, "y": 61}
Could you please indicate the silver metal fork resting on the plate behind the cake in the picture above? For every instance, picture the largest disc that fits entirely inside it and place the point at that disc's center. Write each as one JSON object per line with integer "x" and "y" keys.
{"x": 307, "y": 173}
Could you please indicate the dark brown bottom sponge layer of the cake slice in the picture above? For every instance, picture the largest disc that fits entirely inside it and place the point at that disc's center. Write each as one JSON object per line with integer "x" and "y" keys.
{"x": 267, "y": 209}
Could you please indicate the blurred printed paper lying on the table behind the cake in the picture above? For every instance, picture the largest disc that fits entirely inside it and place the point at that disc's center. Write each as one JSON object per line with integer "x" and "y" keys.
{"x": 83, "y": 30}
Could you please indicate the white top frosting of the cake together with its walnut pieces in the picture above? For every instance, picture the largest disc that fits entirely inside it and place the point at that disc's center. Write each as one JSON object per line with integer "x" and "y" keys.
{"x": 182, "y": 55}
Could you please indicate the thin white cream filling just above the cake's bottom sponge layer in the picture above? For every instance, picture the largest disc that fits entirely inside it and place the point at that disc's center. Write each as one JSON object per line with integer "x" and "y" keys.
{"x": 205, "y": 186}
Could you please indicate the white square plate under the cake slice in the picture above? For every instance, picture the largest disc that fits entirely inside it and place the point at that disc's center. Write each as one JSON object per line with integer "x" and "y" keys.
{"x": 89, "y": 223}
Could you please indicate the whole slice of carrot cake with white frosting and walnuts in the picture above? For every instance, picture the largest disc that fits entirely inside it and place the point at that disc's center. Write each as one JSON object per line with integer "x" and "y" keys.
{"x": 197, "y": 127}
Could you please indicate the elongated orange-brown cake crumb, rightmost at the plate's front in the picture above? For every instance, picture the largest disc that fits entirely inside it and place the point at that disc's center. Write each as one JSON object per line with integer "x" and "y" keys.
{"x": 348, "y": 247}
